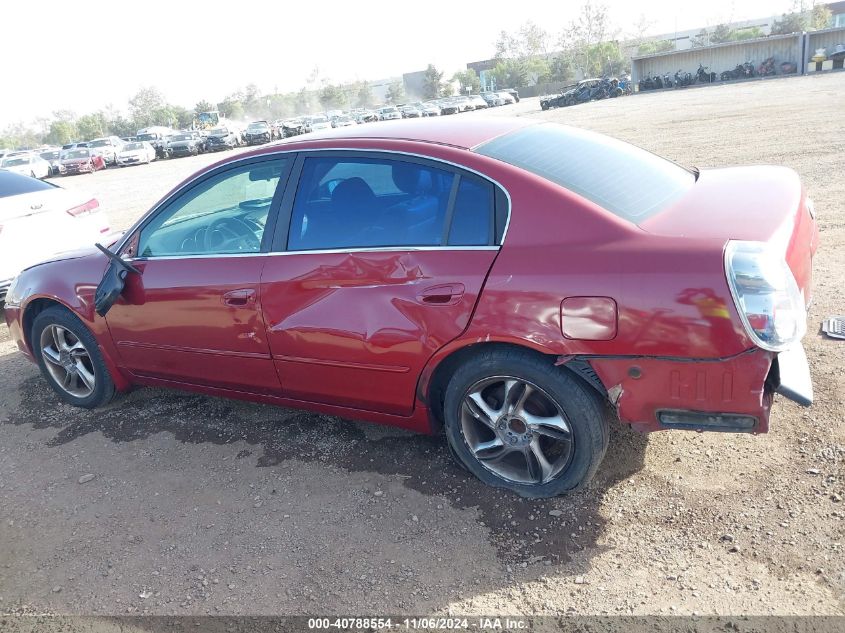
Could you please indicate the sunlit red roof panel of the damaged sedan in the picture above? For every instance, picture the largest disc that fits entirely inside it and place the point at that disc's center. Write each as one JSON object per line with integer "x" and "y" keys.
{"x": 446, "y": 131}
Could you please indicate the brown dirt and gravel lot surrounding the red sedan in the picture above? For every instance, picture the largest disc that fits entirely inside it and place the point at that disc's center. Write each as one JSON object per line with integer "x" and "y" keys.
{"x": 200, "y": 505}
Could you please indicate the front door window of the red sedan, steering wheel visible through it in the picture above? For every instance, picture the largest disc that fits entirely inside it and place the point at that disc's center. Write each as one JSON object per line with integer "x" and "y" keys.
{"x": 226, "y": 214}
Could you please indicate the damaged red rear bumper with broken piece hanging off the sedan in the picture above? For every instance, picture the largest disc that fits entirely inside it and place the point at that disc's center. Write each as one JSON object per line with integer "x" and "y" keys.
{"x": 729, "y": 394}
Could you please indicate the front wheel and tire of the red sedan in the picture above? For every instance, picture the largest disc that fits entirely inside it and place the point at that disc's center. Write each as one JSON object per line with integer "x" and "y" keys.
{"x": 70, "y": 359}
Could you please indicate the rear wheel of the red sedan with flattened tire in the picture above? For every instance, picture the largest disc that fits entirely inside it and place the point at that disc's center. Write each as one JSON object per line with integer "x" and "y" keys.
{"x": 516, "y": 421}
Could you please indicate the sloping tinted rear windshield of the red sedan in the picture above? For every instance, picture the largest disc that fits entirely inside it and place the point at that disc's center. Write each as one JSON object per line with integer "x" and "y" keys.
{"x": 624, "y": 179}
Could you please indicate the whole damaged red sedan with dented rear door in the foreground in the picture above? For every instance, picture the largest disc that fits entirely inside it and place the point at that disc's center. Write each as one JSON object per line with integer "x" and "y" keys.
{"x": 509, "y": 281}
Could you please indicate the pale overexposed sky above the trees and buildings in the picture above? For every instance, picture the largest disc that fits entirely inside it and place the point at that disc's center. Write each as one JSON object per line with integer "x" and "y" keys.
{"x": 85, "y": 55}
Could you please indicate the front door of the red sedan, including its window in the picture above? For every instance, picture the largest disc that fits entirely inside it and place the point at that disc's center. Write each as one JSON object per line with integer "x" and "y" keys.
{"x": 194, "y": 313}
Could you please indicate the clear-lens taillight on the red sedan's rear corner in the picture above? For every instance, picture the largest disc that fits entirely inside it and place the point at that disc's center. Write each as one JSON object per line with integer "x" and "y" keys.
{"x": 766, "y": 295}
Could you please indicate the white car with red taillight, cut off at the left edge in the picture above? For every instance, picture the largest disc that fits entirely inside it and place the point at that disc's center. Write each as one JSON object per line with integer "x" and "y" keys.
{"x": 39, "y": 220}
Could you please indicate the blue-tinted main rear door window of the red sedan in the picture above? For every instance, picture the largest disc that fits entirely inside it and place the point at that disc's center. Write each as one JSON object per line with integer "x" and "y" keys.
{"x": 369, "y": 202}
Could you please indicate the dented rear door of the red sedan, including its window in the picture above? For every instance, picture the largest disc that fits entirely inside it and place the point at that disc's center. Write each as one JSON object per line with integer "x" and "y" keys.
{"x": 379, "y": 260}
